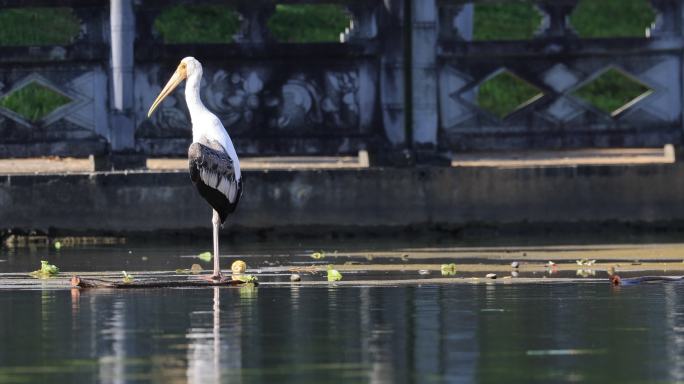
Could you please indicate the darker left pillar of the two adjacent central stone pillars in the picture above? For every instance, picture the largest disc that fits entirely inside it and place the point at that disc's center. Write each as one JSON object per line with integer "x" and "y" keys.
{"x": 392, "y": 72}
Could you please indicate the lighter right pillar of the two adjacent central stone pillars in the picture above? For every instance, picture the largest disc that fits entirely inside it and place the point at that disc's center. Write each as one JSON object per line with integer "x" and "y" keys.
{"x": 424, "y": 34}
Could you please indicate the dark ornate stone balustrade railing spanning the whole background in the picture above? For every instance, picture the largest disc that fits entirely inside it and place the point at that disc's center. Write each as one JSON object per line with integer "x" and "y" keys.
{"x": 405, "y": 74}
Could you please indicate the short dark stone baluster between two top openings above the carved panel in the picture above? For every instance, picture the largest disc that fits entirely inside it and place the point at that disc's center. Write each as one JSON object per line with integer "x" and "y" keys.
{"x": 254, "y": 18}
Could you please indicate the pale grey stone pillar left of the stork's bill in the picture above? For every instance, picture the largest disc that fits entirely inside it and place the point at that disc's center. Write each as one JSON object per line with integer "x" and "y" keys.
{"x": 122, "y": 131}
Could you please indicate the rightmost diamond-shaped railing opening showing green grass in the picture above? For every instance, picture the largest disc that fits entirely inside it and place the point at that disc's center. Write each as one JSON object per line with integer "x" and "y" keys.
{"x": 613, "y": 91}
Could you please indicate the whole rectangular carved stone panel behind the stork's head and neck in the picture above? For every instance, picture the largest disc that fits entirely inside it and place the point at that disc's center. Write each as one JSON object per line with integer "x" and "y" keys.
{"x": 261, "y": 101}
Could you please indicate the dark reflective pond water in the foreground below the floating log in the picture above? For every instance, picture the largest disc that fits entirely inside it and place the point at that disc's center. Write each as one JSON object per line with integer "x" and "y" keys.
{"x": 462, "y": 333}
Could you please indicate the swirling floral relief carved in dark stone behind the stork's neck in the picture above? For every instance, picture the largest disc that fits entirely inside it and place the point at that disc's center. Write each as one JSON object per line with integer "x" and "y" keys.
{"x": 247, "y": 103}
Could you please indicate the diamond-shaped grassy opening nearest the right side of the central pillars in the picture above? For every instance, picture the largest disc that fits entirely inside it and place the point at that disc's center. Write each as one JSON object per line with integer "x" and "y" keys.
{"x": 505, "y": 93}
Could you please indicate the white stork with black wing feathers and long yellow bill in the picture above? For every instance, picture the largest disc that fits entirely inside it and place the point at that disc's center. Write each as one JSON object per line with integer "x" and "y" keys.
{"x": 214, "y": 165}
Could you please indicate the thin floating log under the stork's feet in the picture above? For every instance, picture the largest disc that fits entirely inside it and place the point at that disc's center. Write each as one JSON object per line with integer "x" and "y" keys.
{"x": 79, "y": 282}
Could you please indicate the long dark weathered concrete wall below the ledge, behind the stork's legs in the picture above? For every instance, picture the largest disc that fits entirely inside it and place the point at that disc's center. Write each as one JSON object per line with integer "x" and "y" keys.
{"x": 361, "y": 198}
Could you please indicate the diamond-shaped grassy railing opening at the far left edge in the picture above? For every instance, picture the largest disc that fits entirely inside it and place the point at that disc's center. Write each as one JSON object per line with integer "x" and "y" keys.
{"x": 33, "y": 101}
